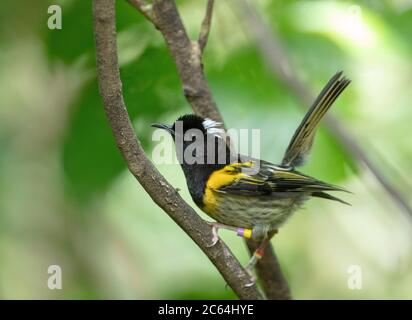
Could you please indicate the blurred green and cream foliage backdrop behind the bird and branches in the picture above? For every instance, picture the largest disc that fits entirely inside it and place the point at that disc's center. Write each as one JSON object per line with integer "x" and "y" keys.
{"x": 67, "y": 199}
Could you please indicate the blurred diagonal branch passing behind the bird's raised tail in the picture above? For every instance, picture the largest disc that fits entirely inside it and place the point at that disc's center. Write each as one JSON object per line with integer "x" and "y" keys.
{"x": 275, "y": 58}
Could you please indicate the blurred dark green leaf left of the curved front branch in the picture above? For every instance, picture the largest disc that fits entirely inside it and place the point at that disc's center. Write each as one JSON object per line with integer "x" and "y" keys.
{"x": 90, "y": 157}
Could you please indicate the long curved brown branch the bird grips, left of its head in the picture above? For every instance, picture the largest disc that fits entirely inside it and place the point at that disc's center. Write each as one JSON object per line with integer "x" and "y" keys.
{"x": 162, "y": 193}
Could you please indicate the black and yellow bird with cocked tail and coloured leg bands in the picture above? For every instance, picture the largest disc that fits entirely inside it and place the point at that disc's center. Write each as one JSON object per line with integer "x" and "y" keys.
{"x": 252, "y": 197}
